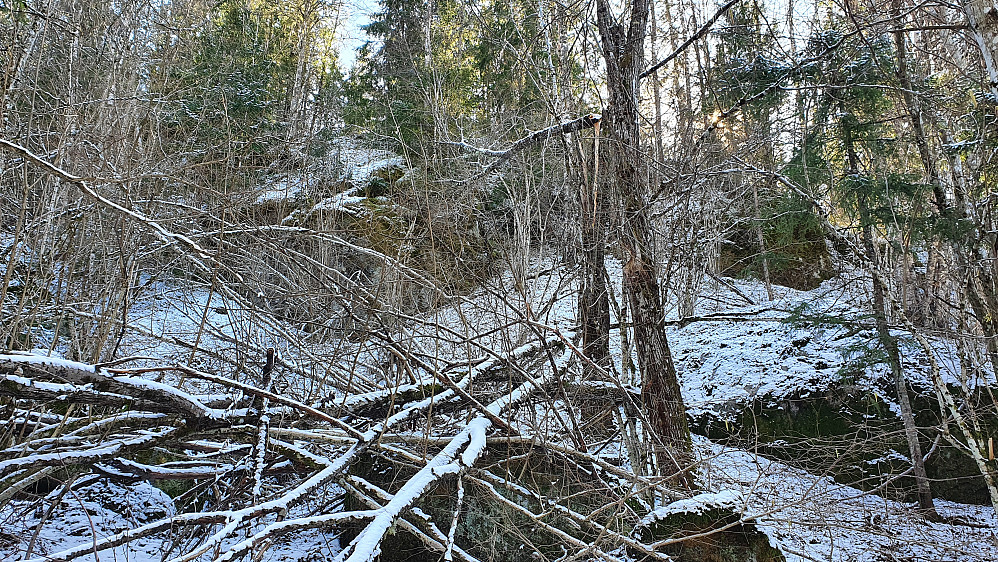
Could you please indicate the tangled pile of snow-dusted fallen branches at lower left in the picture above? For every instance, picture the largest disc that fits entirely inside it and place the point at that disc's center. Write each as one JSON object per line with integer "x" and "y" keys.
{"x": 255, "y": 459}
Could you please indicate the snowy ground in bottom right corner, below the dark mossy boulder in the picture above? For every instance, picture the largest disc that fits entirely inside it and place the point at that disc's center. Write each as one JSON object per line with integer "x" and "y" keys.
{"x": 812, "y": 517}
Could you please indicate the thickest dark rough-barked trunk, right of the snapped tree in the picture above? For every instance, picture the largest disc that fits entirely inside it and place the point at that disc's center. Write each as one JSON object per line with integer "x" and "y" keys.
{"x": 623, "y": 50}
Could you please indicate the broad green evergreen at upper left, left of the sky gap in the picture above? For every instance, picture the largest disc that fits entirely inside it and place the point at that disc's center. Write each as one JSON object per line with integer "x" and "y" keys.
{"x": 231, "y": 84}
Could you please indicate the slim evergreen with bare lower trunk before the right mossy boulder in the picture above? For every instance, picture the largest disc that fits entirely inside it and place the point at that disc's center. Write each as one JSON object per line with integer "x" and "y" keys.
{"x": 864, "y": 154}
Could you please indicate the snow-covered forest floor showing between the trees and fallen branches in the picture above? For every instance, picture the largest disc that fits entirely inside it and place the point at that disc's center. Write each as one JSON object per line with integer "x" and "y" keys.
{"x": 738, "y": 348}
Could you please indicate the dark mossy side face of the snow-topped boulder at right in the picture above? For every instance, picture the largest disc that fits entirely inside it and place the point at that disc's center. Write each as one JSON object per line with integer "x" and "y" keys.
{"x": 852, "y": 435}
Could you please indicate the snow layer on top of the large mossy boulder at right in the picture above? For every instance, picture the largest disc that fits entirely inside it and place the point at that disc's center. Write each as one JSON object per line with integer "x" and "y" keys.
{"x": 740, "y": 352}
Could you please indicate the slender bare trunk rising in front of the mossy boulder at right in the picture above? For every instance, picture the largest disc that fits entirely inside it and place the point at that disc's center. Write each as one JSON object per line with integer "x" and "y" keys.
{"x": 925, "y": 502}
